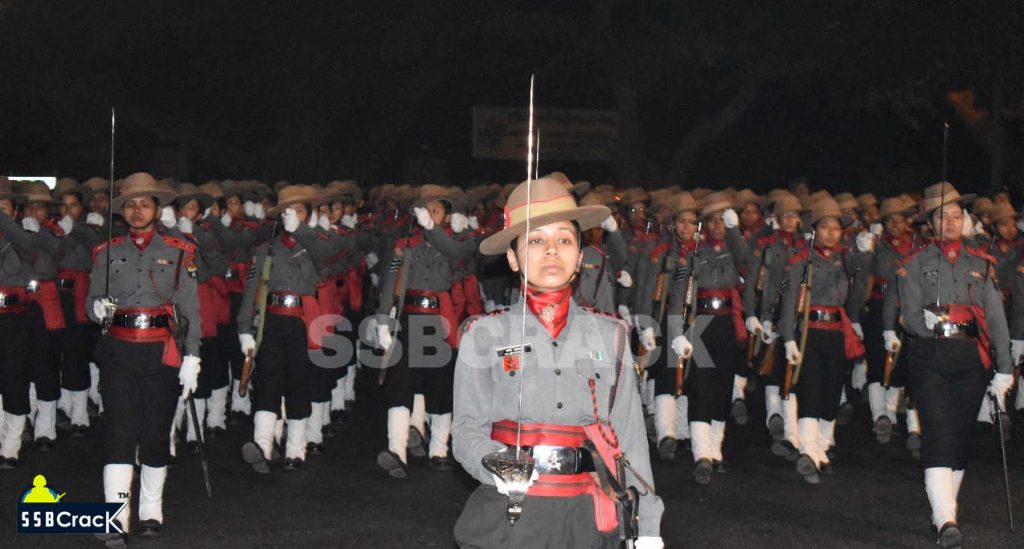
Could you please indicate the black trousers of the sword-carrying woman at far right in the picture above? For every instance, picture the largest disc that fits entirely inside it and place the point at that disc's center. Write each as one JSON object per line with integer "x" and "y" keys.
{"x": 949, "y": 383}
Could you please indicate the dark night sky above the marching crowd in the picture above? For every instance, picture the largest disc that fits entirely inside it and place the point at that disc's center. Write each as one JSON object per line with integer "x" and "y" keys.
{"x": 850, "y": 95}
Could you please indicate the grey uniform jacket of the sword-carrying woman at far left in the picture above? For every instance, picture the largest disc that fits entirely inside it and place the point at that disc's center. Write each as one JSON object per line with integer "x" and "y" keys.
{"x": 147, "y": 279}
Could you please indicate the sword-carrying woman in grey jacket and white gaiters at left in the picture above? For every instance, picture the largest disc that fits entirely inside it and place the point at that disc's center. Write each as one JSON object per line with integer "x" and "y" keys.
{"x": 153, "y": 347}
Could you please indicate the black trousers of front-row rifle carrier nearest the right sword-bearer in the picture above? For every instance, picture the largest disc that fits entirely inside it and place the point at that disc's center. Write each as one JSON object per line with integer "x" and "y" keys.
{"x": 823, "y": 374}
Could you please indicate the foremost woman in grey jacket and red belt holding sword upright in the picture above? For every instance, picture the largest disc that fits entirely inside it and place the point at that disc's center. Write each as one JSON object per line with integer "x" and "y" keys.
{"x": 557, "y": 378}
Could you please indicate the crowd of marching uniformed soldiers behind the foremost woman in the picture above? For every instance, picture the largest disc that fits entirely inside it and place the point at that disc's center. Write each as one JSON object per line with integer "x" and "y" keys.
{"x": 814, "y": 299}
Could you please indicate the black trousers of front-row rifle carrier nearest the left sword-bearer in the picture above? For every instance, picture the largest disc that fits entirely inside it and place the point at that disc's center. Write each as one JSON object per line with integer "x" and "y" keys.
{"x": 283, "y": 368}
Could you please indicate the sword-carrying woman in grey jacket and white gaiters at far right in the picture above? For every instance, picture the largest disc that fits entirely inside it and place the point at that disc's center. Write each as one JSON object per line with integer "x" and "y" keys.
{"x": 954, "y": 312}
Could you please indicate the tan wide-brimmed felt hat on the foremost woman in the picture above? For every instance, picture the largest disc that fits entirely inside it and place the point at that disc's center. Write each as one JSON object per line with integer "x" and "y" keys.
{"x": 548, "y": 203}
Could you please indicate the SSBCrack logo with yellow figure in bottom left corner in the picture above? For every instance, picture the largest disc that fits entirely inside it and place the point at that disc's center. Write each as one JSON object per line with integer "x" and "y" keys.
{"x": 44, "y": 511}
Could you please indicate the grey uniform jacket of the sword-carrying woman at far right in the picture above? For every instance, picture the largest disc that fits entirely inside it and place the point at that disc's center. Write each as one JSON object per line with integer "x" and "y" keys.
{"x": 967, "y": 282}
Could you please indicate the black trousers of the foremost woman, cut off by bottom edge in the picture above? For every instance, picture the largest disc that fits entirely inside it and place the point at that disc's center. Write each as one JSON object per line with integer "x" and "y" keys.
{"x": 545, "y": 523}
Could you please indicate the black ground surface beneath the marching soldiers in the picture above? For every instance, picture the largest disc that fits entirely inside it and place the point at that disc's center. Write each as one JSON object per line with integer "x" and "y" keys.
{"x": 876, "y": 497}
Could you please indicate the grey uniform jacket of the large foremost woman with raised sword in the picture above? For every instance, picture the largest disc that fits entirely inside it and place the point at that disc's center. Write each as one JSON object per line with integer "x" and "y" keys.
{"x": 556, "y": 391}
